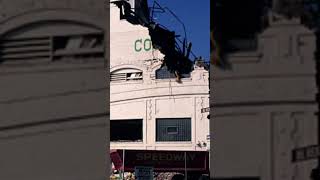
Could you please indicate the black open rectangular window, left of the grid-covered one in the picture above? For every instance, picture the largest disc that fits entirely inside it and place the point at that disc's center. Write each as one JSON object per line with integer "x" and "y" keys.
{"x": 126, "y": 130}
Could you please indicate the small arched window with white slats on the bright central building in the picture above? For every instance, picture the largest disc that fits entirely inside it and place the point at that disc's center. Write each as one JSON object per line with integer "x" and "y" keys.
{"x": 126, "y": 74}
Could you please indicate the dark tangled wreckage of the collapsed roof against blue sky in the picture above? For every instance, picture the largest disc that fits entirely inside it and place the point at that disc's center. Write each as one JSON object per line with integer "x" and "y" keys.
{"x": 176, "y": 57}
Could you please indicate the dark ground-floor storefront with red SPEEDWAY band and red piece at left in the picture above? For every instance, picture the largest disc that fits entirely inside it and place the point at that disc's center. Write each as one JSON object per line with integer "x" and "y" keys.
{"x": 192, "y": 163}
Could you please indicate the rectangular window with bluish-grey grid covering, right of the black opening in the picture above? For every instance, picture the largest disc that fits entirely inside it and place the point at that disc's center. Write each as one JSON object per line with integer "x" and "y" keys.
{"x": 173, "y": 129}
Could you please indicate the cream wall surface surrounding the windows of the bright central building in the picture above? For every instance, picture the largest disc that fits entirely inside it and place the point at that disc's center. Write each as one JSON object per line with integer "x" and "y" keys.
{"x": 151, "y": 98}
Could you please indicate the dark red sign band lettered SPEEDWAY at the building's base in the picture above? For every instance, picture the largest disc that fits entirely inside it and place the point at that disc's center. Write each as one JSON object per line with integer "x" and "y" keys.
{"x": 164, "y": 160}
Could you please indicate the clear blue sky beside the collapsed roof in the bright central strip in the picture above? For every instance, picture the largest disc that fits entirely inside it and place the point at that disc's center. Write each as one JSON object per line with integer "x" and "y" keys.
{"x": 196, "y": 18}
